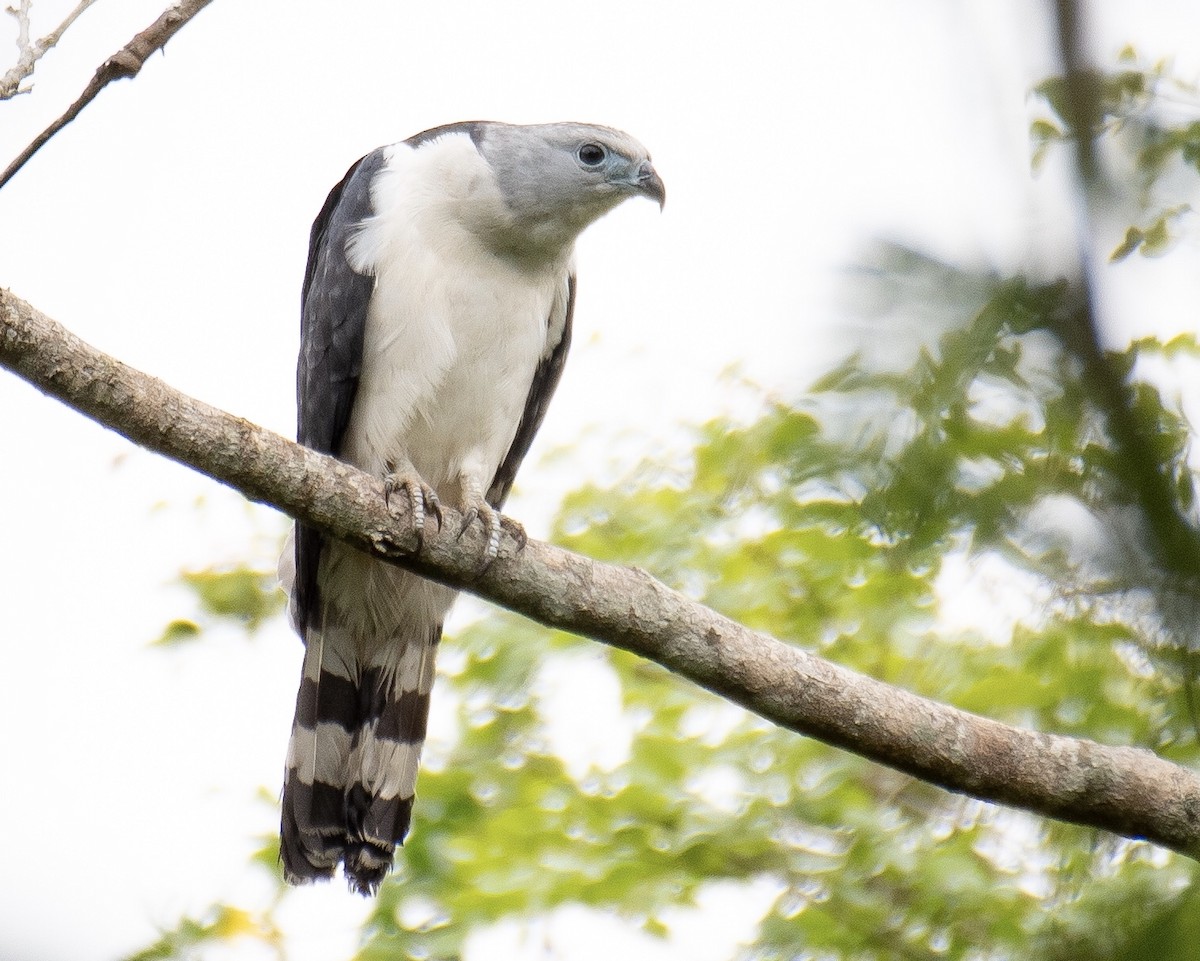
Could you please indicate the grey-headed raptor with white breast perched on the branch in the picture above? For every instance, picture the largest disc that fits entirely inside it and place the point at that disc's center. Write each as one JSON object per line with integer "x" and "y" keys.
{"x": 436, "y": 319}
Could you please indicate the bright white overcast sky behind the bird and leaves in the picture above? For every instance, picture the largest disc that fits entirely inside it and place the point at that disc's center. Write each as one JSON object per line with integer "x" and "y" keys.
{"x": 169, "y": 226}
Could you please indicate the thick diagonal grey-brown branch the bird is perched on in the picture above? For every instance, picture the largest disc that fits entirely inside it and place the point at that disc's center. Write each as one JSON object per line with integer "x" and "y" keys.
{"x": 1124, "y": 790}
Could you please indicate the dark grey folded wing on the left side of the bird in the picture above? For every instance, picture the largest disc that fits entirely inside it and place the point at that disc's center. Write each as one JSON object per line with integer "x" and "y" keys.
{"x": 333, "y": 323}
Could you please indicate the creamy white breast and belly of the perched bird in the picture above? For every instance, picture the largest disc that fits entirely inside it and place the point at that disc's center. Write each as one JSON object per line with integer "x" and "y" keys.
{"x": 454, "y": 333}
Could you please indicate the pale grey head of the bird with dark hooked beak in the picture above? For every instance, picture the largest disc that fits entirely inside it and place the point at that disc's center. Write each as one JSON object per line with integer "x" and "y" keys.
{"x": 559, "y": 178}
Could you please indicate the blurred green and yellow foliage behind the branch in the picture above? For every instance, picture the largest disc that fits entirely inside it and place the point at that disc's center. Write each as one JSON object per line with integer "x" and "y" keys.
{"x": 958, "y": 458}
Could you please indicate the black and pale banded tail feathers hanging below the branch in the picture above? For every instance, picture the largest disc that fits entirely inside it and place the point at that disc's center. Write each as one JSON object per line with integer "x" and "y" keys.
{"x": 353, "y": 758}
